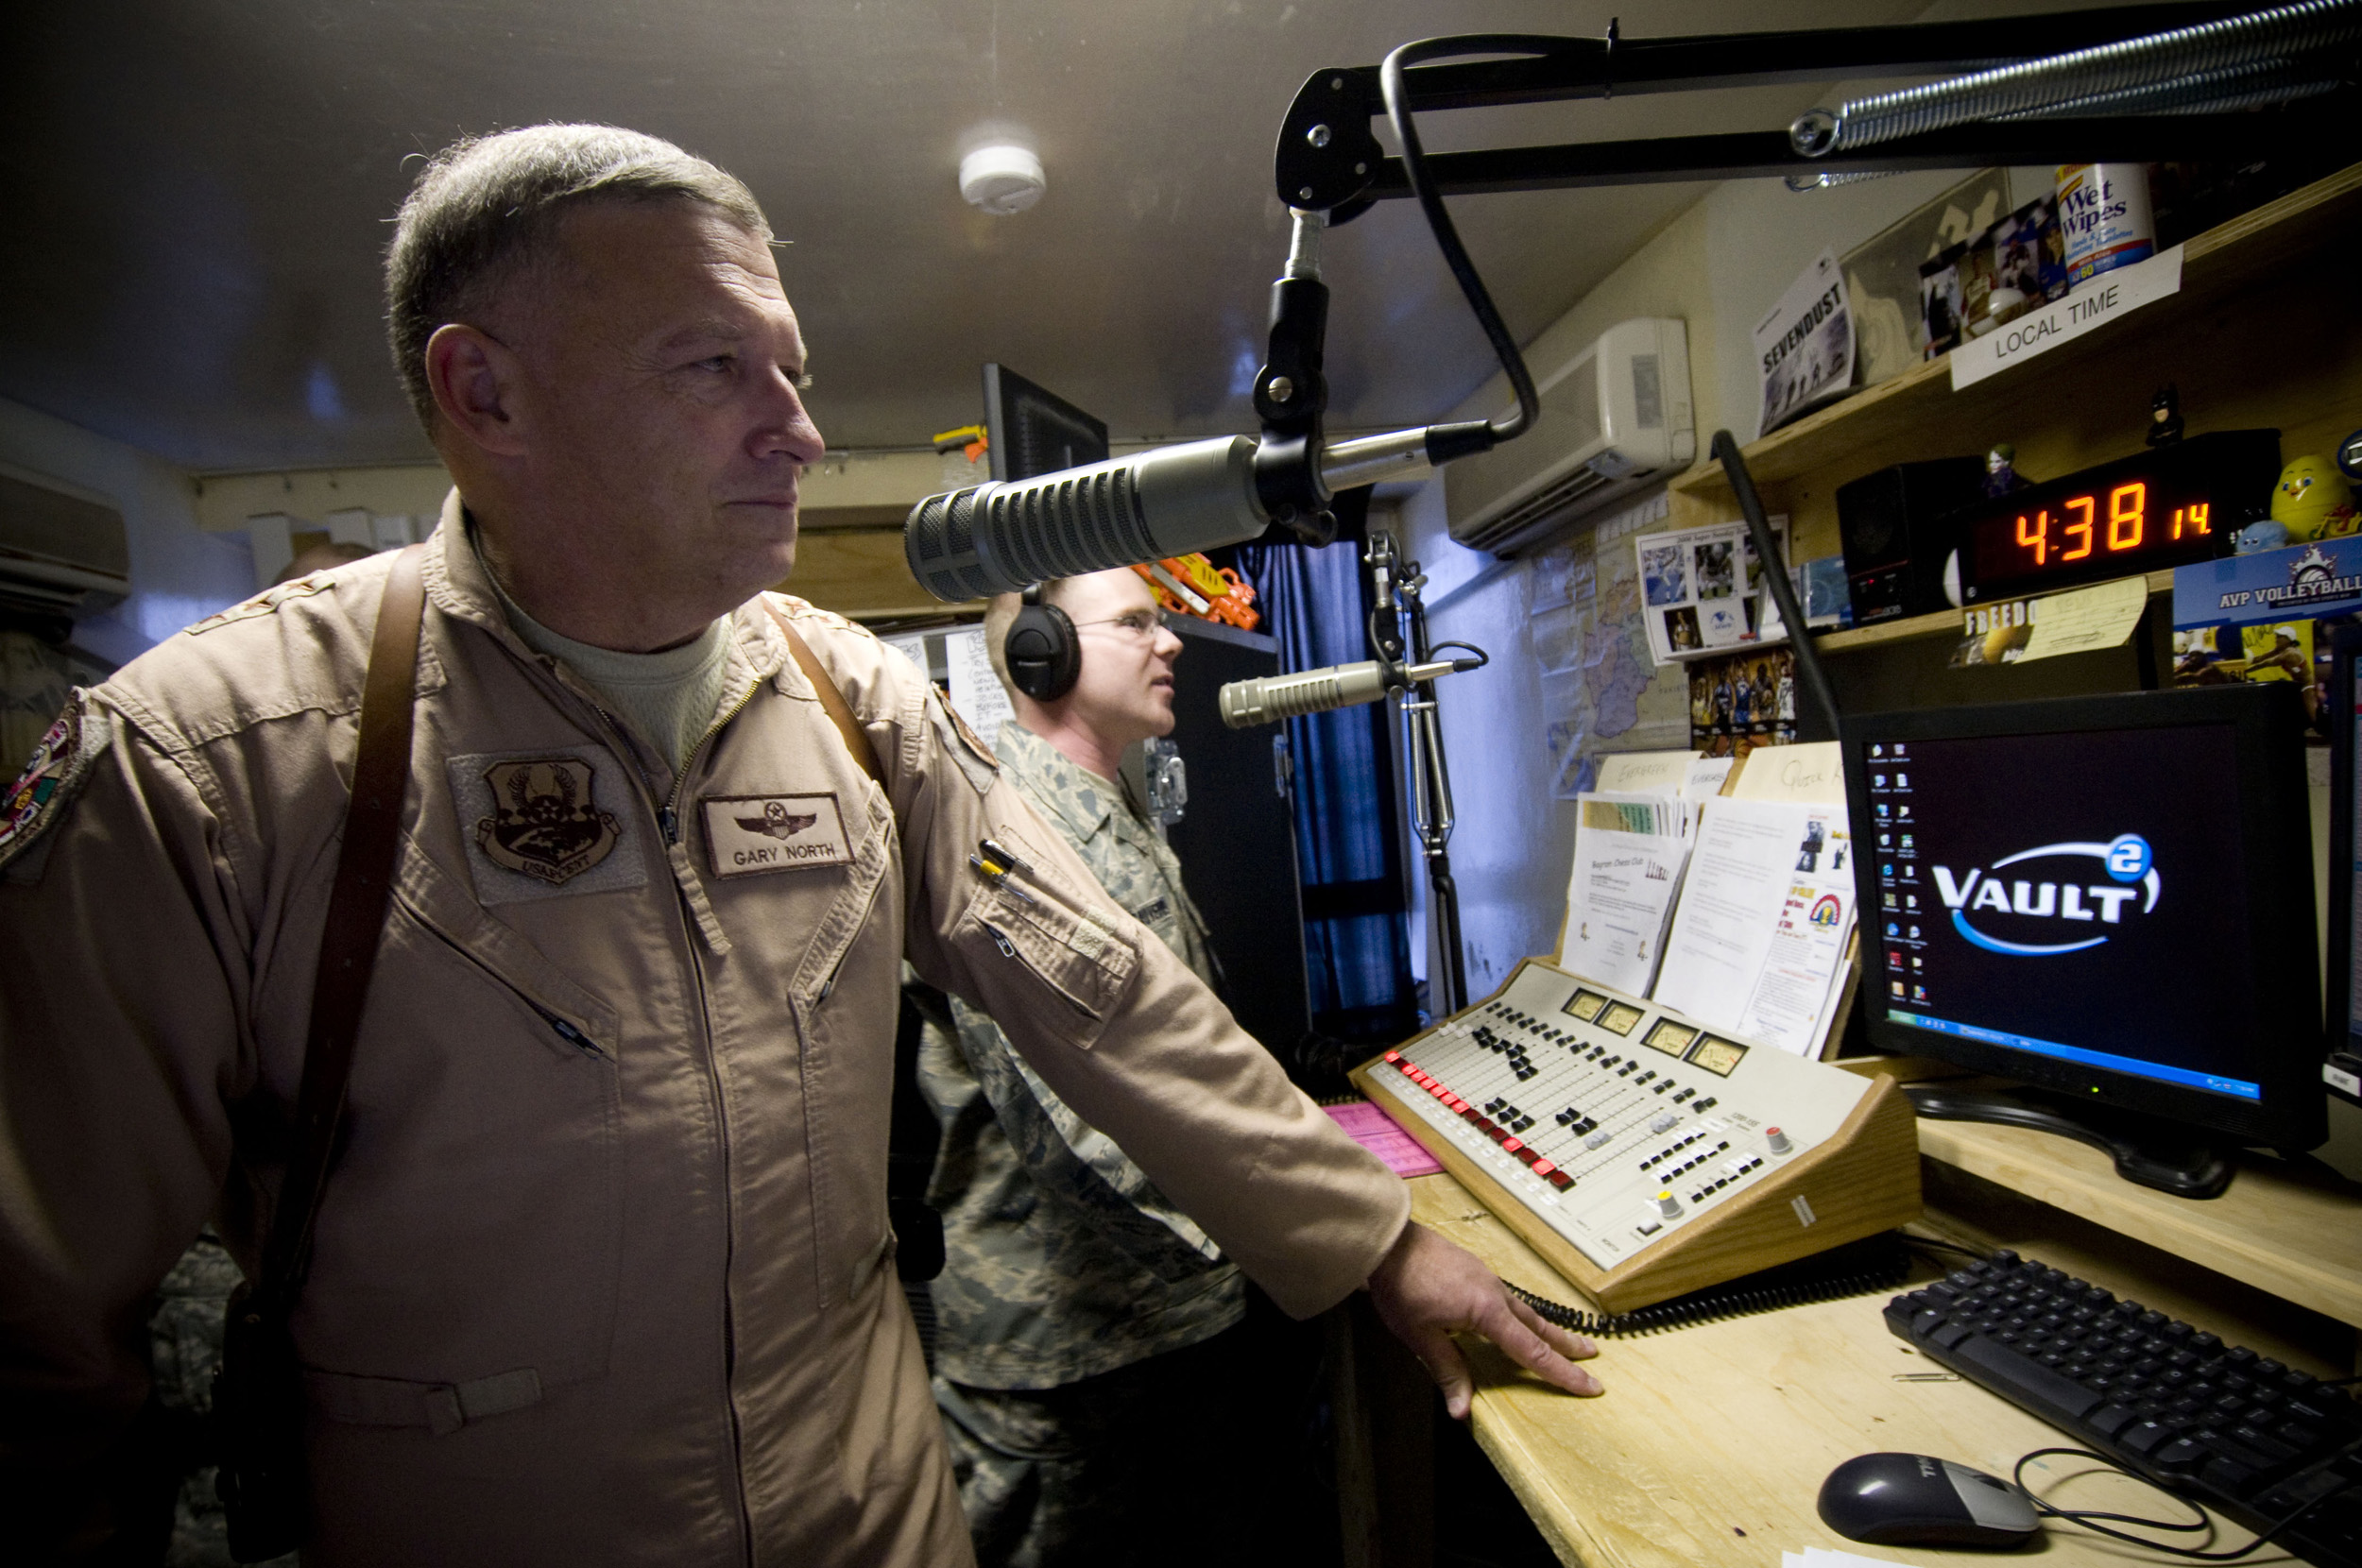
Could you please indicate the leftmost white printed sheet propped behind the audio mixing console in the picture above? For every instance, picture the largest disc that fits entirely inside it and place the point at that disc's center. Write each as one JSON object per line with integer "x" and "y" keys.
{"x": 1629, "y": 868}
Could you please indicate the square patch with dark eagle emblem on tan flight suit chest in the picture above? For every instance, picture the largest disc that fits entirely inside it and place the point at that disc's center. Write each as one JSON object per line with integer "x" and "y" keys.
{"x": 547, "y": 823}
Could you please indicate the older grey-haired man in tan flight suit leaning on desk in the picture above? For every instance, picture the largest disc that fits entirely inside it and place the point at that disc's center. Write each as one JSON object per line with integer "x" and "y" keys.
{"x": 603, "y": 1267}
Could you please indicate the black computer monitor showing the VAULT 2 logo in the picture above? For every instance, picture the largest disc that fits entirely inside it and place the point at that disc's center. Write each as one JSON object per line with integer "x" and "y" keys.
{"x": 2106, "y": 899}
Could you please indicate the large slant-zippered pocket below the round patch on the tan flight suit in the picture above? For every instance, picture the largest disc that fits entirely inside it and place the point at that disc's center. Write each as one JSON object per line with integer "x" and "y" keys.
{"x": 469, "y": 1248}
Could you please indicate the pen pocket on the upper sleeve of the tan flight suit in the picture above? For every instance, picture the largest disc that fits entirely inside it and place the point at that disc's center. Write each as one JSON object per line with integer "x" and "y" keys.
{"x": 1066, "y": 969}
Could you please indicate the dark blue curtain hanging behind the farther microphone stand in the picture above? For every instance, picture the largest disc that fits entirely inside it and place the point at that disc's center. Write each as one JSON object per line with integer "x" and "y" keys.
{"x": 1357, "y": 936}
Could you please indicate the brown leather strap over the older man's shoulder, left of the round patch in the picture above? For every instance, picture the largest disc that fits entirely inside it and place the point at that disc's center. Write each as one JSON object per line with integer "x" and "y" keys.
{"x": 348, "y": 946}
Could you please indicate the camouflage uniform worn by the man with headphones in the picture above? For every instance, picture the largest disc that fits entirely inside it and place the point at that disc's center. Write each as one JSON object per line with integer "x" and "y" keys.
{"x": 1066, "y": 1267}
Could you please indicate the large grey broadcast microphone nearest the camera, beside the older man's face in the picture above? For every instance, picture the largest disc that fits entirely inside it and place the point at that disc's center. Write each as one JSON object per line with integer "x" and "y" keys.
{"x": 1163, "y": 502}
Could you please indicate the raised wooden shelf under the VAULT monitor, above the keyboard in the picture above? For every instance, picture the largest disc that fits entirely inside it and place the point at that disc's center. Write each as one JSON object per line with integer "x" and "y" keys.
{"x": 2283, "y": 1231}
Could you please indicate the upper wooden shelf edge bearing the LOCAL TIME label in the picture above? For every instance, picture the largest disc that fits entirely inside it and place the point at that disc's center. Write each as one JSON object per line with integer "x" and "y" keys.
{"x": 2292, "y": 233}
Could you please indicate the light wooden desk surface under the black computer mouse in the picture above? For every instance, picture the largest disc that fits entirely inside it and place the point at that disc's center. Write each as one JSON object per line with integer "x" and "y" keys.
{"x": 1711, "y": 1442}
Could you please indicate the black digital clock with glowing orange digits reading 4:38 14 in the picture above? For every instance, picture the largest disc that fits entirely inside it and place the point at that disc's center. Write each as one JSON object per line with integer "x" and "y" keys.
{"x": 2160, "y": 509}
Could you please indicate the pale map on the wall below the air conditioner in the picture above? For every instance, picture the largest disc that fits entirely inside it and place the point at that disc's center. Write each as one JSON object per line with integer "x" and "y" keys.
{"x": 1600, "y": 686}
